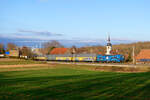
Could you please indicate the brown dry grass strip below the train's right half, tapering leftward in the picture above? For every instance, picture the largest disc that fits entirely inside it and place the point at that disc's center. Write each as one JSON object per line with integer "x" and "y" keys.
{"x": 109, "y": 68}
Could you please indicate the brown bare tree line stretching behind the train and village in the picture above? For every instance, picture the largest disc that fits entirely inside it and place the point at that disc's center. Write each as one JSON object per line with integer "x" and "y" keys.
{"x": 124, "y": 49}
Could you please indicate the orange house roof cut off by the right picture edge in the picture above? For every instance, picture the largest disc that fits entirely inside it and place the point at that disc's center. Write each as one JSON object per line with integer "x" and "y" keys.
{"x": 144, "y": 54}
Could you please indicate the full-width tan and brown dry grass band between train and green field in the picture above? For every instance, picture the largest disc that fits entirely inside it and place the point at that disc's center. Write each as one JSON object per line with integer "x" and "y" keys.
{"x": 9, "y": 64}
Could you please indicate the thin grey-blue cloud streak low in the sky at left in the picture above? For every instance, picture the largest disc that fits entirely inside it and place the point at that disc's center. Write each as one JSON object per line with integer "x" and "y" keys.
{"x": 42, "y": 33}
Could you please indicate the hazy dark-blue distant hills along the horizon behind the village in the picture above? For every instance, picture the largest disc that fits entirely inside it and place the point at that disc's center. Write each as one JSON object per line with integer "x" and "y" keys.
{"x": 67, "y": 43}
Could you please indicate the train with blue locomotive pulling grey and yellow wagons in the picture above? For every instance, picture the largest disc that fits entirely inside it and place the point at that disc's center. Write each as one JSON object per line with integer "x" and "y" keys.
{"x": 83, "y": 58}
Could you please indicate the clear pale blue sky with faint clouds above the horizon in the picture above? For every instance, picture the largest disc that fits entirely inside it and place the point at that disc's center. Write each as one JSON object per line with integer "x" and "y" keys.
{"x": 75, "y": 19}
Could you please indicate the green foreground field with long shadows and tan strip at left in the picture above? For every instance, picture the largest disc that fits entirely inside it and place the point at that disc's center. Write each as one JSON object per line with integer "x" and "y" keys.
{"x": 40, "y": 81}
